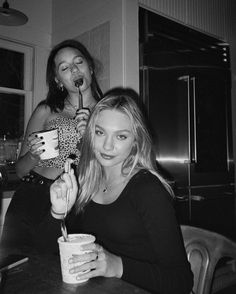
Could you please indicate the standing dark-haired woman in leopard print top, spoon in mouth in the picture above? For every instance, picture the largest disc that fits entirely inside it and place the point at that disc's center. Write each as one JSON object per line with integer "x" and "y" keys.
{"x": 70, "y": 76}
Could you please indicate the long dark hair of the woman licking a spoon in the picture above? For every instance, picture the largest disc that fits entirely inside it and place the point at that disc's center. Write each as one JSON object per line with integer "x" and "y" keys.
{"x": 55, "y": 97}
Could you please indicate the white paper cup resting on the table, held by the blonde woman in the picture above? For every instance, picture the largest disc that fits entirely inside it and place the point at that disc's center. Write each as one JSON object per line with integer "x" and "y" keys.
{"x": 67, "y": 250}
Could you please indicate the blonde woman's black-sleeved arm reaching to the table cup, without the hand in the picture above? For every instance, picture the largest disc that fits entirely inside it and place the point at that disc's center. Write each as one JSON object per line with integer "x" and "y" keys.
{"x": 170, "y": 271}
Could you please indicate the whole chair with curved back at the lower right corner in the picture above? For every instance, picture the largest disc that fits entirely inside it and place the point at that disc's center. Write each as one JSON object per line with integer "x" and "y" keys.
{"x": 206, "y": 250}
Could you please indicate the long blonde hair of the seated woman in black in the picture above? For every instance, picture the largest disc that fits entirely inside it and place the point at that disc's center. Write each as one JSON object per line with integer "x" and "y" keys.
{"x": 141, "y": 156}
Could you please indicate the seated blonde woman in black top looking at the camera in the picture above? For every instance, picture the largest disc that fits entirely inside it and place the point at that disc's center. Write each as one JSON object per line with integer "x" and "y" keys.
{"x": 122, "y": 200}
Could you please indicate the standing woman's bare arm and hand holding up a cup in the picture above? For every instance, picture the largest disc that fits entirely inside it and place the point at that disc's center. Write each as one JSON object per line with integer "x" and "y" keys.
{"x": 29, "y": 158}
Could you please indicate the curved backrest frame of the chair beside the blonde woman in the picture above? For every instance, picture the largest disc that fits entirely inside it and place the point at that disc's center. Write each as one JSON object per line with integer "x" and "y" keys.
{"x": 204, "y": 249}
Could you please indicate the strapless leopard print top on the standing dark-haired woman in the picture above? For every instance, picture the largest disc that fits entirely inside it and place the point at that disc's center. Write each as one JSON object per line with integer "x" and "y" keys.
{"x": 69, "y": 140}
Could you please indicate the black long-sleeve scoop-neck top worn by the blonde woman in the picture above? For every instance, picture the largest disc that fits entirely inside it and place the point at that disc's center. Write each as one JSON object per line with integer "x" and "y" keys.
{"x": 140, "y": 227}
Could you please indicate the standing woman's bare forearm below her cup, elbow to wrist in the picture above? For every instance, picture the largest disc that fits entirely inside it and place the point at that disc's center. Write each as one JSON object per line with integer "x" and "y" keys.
{"x": 25, "y": 164}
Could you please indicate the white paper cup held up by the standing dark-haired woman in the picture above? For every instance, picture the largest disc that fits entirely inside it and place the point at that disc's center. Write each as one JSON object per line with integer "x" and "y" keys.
{"x": 51, "y": 147}
